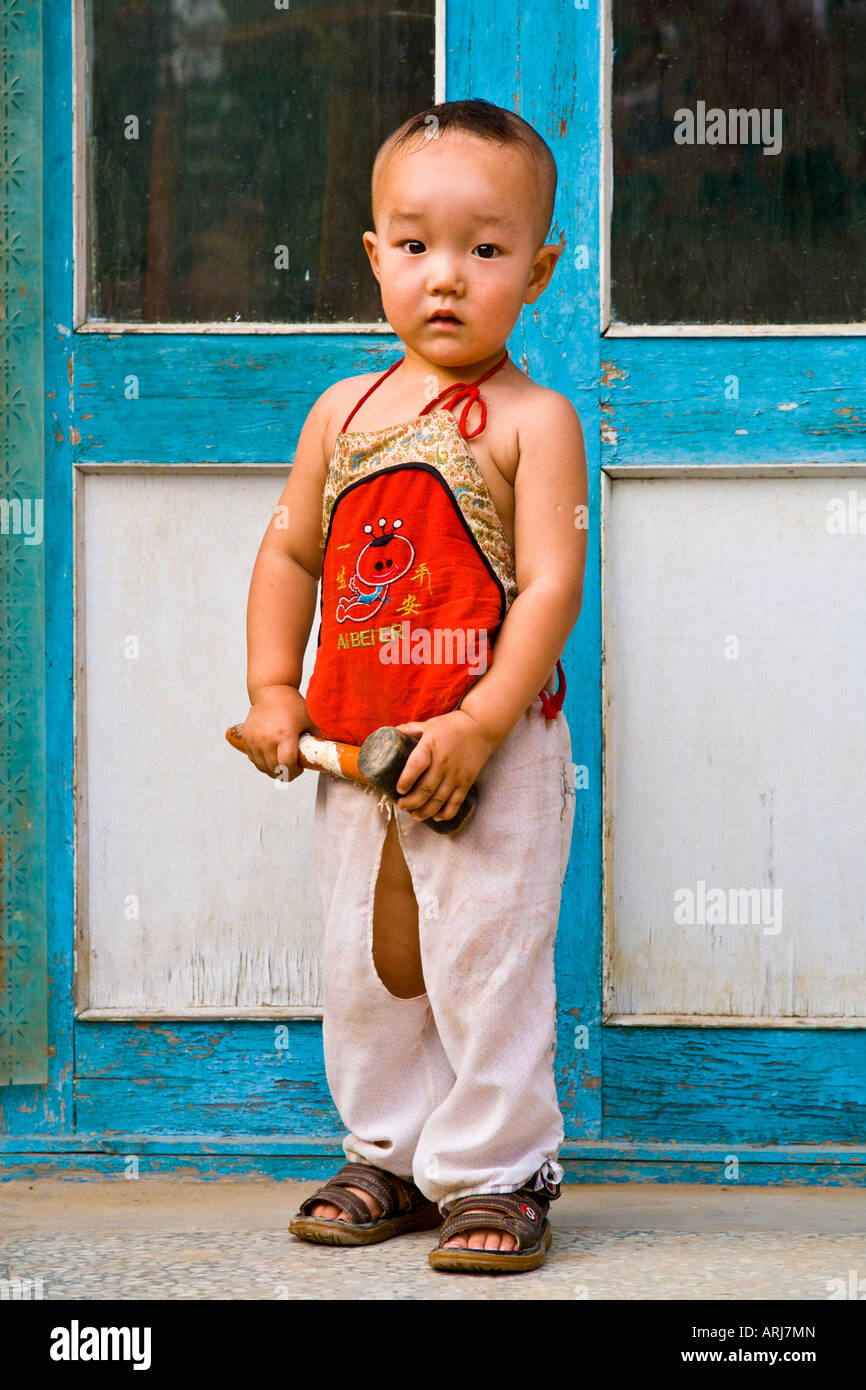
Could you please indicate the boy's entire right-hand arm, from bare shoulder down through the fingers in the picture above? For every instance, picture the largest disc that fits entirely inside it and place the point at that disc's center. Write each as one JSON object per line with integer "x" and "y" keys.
{"x": 551, "y": 553}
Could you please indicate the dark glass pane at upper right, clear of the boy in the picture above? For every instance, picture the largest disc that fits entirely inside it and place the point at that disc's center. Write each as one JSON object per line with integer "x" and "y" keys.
{"x": 725, "y": 218}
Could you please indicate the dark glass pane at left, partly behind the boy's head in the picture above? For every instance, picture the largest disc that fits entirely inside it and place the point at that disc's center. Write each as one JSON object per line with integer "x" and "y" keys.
{"x": 223, "y": 131}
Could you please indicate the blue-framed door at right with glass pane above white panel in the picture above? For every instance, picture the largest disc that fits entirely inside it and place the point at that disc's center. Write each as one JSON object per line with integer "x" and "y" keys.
{"x": 733, "y": 436}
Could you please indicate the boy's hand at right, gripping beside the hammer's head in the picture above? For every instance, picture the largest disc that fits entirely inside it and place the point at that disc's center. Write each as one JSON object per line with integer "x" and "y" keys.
{"x": 441, "y": 769}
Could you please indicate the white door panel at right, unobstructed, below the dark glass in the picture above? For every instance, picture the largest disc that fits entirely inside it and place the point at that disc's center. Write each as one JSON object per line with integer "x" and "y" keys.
{"x": 735, "y": 749}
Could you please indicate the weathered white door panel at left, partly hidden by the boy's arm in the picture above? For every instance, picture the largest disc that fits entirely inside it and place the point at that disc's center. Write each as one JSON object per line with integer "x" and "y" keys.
{"x": 197, "y": 874}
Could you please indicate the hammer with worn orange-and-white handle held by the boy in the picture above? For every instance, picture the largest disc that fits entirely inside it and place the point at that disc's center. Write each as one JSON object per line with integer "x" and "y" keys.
{"x": 379, "y": 764}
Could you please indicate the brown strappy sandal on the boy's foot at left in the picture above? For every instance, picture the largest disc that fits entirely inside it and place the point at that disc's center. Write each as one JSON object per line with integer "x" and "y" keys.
{"x": 404, "y": 1209}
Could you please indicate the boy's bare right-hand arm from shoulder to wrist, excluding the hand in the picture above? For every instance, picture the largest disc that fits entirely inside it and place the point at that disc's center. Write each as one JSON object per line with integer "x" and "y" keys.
{"x": 551, "y": 494}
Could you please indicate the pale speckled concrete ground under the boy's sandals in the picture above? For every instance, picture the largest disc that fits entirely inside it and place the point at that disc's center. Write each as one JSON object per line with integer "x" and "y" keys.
{"x": 208, "y": 1241}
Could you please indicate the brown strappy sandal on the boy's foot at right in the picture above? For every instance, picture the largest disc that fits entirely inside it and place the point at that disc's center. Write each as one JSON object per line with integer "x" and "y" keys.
{"x": 522, "y": 1214}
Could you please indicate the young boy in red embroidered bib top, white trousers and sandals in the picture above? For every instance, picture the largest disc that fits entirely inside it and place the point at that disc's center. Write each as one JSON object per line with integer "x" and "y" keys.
{"x": 452, "y": 576}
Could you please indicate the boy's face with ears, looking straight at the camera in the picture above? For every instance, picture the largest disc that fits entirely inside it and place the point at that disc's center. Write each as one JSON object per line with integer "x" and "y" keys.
{"x": 458, "y": 231}
